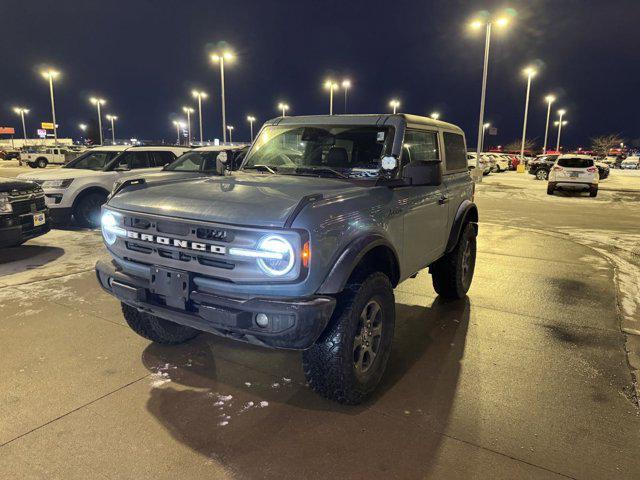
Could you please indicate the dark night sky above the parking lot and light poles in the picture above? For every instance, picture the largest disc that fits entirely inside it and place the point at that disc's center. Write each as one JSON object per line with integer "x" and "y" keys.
{"x": 145, "y": 57}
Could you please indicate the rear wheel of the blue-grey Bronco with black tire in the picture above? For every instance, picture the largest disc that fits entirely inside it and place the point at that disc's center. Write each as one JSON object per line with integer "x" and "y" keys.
{"x": 452, "y": 274}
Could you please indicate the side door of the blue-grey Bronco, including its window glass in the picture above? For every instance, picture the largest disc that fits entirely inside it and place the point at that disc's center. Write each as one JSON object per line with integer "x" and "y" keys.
{"x": 425, "y": 207}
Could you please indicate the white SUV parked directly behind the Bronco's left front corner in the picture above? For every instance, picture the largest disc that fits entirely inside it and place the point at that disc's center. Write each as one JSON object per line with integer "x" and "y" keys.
{"x": 80, "y": 187}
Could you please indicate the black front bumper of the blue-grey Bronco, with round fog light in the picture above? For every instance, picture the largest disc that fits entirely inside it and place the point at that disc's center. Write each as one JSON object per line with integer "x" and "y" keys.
{"x": 294, "y": 323}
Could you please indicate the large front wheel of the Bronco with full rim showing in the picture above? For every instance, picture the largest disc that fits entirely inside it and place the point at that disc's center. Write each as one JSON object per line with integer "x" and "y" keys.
{"x": 349, "y": 359}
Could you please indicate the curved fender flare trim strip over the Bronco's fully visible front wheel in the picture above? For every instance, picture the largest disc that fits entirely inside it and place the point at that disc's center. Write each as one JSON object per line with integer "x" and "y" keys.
{"x": 339, "y": 275}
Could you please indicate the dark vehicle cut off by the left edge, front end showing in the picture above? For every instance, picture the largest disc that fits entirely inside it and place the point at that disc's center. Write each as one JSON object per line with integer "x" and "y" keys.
{"x": 23, "y": 213}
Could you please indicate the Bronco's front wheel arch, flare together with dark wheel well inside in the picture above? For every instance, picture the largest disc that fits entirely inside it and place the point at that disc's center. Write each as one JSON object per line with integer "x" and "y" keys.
{"x": 371, "y": 251}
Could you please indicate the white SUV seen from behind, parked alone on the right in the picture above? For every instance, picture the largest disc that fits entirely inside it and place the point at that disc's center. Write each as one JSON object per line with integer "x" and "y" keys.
{"x": 574, "y": 172}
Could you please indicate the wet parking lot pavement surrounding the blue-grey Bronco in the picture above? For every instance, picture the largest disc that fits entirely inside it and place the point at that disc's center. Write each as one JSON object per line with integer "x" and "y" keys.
{"x": 528, "y": 377}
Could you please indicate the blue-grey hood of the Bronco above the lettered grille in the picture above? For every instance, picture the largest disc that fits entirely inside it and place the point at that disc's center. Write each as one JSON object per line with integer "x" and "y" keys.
{"x": 251, "y": 199}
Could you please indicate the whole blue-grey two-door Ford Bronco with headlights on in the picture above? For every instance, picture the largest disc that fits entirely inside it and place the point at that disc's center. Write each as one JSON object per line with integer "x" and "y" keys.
{"x": 302, "y": 247}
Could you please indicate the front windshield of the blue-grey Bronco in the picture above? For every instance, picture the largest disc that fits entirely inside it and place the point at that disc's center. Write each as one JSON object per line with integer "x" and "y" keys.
{"x": 321, "y": 150}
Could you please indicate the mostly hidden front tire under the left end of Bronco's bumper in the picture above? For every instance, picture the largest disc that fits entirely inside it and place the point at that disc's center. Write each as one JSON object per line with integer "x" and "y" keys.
{"x": 157, "y": 329}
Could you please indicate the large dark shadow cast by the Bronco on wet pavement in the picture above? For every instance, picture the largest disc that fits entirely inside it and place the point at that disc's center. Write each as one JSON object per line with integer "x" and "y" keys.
{"x": 428, "y": 347}
